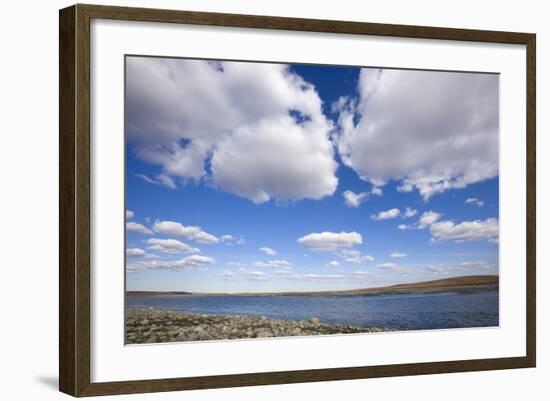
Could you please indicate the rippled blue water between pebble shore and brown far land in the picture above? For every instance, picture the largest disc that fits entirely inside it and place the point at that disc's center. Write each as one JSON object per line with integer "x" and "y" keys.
{"x": 450, "y": 309}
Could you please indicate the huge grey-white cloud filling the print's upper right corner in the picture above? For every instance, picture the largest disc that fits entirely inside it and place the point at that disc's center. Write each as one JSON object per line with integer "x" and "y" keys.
{"x": 431, "y": 131}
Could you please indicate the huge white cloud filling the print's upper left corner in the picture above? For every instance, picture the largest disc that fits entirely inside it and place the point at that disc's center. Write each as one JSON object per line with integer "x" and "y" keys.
{"x": 260, "y": 127}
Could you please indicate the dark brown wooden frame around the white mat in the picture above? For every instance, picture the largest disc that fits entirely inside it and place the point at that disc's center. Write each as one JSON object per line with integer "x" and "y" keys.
{"x": 74, "y": 199}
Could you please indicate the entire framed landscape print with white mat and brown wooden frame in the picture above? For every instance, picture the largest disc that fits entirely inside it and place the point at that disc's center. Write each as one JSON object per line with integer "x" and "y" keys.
{"x": 249, "y": 200}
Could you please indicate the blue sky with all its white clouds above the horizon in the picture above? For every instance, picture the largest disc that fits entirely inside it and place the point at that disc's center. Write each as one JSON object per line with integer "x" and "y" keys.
{"x": 263, "y": 177}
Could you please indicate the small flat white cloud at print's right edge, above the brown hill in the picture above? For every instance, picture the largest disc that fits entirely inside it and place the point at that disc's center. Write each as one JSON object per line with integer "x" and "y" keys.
{"x": 476, "y": 230}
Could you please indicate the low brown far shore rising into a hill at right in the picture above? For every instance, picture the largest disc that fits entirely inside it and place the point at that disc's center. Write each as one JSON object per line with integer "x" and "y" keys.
{"x": 453, "y": 283}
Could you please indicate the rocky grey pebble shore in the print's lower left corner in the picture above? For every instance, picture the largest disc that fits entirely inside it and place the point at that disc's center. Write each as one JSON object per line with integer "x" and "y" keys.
{"x": 158, "y": 326}
